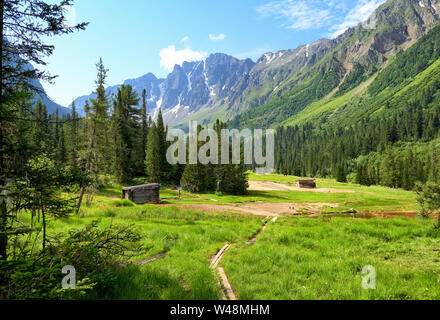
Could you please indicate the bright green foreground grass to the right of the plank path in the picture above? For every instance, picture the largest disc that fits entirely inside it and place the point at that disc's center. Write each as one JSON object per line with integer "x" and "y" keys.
{"x": 301, "y": 258}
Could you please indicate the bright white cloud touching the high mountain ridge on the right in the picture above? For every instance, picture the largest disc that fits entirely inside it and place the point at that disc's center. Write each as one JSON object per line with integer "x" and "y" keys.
{"x": 360, "y": 13}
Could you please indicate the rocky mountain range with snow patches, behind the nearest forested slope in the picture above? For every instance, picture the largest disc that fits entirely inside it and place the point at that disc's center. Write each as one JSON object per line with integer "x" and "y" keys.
{"x": 287, "y": 85}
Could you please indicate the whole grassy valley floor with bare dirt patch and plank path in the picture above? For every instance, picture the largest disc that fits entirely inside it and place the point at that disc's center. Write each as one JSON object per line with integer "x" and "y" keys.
{"x": 282, "y": 243}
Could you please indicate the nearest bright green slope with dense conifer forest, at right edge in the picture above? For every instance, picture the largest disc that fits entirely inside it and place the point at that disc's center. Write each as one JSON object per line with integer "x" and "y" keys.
{"x": 385, "y": 131}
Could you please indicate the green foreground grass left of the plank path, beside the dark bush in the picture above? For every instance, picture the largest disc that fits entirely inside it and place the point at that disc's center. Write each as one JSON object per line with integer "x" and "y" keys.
{"x": 190, "y": 239}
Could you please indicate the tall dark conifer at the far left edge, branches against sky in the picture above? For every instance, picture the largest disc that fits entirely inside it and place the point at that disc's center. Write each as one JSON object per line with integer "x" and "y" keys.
{"x": 23, "y": 26}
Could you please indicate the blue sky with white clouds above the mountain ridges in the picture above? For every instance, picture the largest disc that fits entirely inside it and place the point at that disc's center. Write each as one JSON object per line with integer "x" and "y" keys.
{"x": 134, "y": 37}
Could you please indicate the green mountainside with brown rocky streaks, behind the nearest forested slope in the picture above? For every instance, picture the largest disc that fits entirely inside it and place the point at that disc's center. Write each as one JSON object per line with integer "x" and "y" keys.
{"x": 358, "y": 55}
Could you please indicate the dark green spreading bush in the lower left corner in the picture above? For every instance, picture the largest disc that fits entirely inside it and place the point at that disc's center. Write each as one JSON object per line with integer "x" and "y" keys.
{"x": 94, "y": 253}
